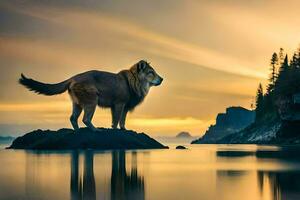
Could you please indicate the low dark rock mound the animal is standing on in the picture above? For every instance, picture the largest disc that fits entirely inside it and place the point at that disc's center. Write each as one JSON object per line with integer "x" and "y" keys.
{"x": 84, "y": 138}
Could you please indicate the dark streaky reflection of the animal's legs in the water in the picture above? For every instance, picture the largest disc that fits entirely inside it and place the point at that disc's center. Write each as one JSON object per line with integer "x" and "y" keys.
{"x": 123, "y": 186}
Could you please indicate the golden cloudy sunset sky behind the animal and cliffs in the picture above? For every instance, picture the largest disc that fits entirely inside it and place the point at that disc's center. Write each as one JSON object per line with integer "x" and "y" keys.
{"x": 211, "y": 54}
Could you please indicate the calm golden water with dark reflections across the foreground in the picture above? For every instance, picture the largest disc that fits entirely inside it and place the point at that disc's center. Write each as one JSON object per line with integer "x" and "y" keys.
{"x": 206, "y": 172}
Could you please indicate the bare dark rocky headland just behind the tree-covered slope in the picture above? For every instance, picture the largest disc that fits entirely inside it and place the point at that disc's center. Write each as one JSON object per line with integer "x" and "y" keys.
{"x": 233, "y": 120}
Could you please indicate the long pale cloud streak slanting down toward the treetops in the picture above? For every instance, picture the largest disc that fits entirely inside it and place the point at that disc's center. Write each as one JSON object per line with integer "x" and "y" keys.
{"x": 140, "y": 38}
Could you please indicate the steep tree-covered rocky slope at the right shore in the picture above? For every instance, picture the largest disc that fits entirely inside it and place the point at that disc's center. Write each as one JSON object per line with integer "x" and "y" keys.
{"x": 277, "y": 110}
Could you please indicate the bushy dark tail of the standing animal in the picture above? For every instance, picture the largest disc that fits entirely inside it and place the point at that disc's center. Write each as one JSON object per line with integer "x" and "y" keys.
{"x": 44, "y": 88}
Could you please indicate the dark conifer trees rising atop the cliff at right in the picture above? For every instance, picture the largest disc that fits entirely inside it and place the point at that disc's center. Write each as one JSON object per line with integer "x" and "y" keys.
{"x": 283, "y": 84}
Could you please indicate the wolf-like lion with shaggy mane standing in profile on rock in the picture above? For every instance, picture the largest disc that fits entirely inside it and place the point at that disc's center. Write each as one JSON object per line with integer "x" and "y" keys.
{"x": 121, "y": 92}
